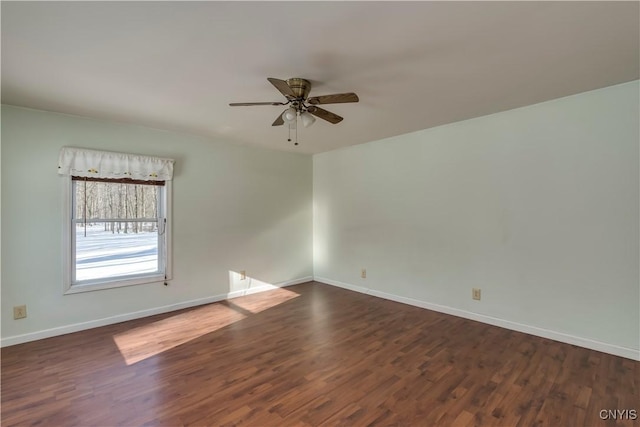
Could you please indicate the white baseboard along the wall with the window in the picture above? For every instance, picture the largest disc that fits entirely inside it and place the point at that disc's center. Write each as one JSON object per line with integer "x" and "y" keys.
{"x": 76, "y": 327}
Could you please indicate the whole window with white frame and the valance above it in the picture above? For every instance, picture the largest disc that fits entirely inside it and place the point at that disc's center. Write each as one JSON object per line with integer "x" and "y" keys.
{"x": 117, "y": 230}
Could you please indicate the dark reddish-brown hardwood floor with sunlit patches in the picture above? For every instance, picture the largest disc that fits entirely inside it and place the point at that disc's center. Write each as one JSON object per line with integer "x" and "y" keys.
{"x": 313, "y": 355}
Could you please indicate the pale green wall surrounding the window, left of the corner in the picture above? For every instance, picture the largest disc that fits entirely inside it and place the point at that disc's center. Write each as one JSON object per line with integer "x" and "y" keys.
{"x": 234, "y": 208}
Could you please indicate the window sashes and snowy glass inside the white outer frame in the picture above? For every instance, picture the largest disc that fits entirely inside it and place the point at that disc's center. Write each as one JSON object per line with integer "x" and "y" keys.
{"x": 118, "y": 230}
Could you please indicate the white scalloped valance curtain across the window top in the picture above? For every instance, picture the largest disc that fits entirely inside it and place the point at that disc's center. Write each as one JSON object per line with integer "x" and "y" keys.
{"x": 104, "y": 164}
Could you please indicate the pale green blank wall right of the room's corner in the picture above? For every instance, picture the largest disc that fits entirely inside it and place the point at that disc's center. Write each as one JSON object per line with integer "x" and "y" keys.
{"x": 536, "y": 206}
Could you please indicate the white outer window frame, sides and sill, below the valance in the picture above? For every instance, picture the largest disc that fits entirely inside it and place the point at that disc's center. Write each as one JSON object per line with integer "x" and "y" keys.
{"x": 68, "y": 240}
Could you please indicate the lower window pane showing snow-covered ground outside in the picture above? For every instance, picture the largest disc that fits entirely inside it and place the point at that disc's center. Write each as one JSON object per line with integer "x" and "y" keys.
{"x": 113, "y": 249}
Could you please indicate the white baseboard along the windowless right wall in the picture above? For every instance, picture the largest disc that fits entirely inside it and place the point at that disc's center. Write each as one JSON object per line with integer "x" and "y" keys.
{"x": 626, "y": 352}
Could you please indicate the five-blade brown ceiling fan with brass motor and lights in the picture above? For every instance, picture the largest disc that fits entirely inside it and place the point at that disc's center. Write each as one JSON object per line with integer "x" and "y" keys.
{"x": 296, "y": 90}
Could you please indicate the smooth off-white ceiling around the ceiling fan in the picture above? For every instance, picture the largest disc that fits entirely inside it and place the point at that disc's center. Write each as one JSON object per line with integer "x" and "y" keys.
{"x": 414, "y": 65}
